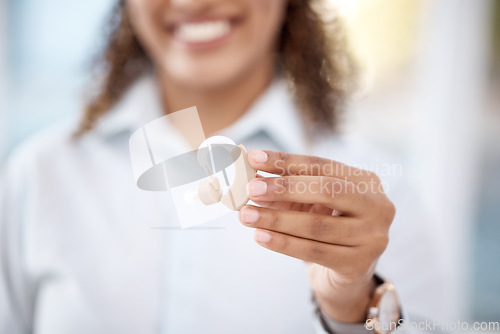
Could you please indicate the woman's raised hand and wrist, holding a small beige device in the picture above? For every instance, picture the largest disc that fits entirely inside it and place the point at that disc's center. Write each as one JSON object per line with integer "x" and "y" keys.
{"x": 334, "y": 217}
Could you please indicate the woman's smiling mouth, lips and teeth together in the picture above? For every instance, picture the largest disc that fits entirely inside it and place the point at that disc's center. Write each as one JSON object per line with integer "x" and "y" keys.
{"x": 203, "y": 32}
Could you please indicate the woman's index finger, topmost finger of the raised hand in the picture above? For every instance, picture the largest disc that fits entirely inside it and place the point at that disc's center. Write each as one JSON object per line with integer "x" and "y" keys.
{"x": 281, "y": 163}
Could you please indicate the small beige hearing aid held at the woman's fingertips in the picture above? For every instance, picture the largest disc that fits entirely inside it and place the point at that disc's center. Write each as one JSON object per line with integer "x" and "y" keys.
{"x": 209, "y": 190}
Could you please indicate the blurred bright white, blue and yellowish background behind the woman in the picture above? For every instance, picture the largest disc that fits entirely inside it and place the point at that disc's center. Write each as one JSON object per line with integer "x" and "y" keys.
{"x": 430, "y": 96}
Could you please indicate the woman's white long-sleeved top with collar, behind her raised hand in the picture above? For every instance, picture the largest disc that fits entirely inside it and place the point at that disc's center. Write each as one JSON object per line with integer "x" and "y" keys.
{"x": 83, "y": 250}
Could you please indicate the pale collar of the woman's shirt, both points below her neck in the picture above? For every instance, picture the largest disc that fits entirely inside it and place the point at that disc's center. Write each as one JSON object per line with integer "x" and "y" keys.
{"x": 274, "y": 113}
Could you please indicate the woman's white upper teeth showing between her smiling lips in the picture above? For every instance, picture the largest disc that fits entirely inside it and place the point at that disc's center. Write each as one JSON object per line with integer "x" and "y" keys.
{"x": 203, "y": 31}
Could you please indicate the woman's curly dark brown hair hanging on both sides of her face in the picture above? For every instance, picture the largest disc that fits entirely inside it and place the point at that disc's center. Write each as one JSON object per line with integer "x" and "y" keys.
{"x": 312, "y": 54}
